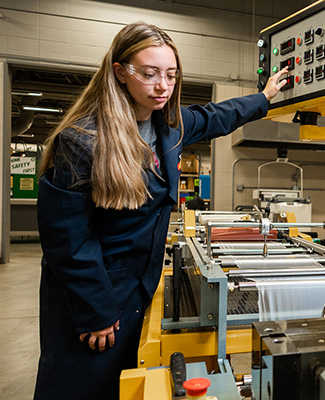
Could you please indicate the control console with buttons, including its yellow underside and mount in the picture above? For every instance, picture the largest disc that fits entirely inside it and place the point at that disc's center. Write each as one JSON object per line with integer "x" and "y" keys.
{"x": 299, "y": 43}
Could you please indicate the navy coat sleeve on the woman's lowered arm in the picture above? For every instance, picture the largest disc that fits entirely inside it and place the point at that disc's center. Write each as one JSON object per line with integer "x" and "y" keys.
{"x": 72, "y": 250}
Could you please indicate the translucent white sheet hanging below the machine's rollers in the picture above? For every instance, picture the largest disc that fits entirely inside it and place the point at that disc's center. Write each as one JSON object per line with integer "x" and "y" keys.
{"x": 292, "y": 300}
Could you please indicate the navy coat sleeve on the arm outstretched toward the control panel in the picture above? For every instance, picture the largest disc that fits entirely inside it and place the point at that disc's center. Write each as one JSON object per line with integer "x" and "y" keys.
{"x": 214, "y": 120}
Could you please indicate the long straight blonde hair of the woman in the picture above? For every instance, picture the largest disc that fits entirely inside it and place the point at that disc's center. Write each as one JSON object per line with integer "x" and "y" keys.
{"x": 120, "y": 156}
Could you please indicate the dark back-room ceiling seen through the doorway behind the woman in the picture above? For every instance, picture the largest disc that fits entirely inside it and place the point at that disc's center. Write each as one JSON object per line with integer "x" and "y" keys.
{"x": 58, "y": 89}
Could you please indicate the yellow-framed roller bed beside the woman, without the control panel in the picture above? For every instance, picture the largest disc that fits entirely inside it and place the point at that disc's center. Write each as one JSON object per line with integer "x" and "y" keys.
{"x": 207, "y": 302}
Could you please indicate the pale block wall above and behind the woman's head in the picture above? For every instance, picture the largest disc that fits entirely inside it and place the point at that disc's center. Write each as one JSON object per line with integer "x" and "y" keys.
{"x": 216, "y": 41}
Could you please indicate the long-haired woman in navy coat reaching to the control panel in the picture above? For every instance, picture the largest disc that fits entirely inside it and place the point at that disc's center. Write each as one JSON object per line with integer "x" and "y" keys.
{"x": 108, "y": 182}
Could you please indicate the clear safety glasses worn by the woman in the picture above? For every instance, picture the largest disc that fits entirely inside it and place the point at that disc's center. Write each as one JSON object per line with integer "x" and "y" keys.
{"x": 152, "y": 76}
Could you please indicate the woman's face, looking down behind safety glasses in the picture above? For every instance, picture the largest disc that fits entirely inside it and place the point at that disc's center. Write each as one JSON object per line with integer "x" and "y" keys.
{"x": 153, "y": 96}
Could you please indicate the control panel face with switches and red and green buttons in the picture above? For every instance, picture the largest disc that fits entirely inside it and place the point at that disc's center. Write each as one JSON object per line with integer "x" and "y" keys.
{"x": 299, "y": 43}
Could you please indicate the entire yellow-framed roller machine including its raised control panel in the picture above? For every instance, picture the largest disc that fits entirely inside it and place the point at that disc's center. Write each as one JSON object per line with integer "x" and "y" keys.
{"x": 226, "y": 265}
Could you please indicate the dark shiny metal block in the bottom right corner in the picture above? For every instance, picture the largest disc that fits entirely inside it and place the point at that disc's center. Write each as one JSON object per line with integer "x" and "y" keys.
{"x": 288, "y": 360}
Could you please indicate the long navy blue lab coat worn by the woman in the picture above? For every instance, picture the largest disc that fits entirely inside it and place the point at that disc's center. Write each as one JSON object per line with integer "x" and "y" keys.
{"x": 100, "y": 266}
